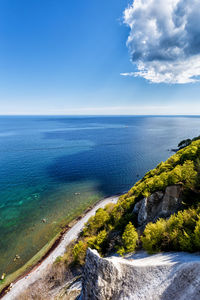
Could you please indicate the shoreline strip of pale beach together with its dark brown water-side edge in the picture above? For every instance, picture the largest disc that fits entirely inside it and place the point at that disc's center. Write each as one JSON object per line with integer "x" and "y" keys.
{"x": 67, "y": 235}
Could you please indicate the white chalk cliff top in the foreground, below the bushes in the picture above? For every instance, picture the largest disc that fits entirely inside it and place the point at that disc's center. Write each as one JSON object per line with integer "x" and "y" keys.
{"x": 158, "y": 277}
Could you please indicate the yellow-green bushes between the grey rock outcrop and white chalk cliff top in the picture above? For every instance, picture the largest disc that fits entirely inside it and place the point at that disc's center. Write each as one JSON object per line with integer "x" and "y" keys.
{"x": 181, "y": 232}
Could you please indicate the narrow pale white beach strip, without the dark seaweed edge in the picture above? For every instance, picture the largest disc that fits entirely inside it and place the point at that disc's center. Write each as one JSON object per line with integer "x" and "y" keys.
{"x": 69, "y": 236}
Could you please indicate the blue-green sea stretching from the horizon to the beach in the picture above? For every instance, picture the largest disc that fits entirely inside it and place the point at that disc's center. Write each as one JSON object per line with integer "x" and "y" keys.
{"x": 45, "y": 161}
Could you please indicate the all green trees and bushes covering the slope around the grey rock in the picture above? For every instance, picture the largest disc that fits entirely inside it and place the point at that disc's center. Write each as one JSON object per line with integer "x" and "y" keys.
{"x": 179, "y": 233}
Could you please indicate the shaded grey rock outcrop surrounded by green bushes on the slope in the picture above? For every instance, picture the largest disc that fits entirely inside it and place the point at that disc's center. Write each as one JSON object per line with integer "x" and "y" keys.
{"x": 159, "y": 205}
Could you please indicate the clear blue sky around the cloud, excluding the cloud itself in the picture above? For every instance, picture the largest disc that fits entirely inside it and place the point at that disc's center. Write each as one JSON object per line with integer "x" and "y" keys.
{"x": 66, "y": 57}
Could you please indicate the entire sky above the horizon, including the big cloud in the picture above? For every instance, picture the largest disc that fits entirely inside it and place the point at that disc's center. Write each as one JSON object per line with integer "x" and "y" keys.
{"x": 99, "y": 57}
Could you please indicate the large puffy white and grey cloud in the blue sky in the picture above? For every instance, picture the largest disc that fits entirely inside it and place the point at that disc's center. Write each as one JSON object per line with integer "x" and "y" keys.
{"x": 164, "y": 40}
